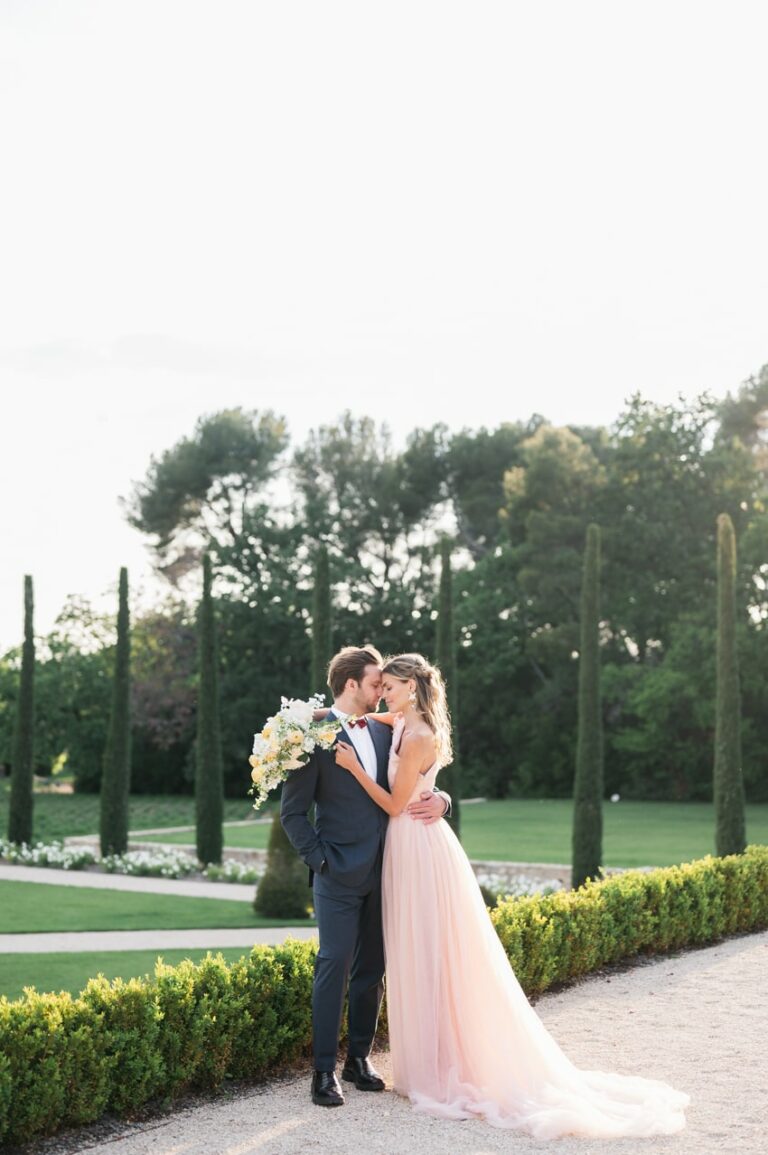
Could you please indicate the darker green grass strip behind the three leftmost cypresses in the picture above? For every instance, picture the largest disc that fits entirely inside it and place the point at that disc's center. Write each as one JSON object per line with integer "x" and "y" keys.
{"x": 62, "y": 816}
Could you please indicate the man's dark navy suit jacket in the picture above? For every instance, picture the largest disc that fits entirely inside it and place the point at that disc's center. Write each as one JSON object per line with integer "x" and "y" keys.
{"x": 349, "y": 830}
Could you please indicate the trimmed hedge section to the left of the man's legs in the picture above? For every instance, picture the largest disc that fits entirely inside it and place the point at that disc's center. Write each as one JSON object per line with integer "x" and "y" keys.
{"x": 65, "y": 1062}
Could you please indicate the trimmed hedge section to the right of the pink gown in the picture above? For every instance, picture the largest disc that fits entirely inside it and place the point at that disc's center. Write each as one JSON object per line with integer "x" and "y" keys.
{"x": 558, "y": 937}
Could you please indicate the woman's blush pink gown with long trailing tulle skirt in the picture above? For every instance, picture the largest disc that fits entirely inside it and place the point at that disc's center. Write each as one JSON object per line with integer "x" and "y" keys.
{"x": 464, "y": 1038}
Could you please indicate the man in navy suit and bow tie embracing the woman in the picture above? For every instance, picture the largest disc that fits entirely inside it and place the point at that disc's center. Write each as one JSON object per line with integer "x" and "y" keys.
{"x": 344, "y": 852}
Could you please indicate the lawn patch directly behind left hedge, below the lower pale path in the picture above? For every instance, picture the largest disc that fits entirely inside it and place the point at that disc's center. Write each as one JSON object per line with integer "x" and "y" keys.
{"x": 72, "y": 972}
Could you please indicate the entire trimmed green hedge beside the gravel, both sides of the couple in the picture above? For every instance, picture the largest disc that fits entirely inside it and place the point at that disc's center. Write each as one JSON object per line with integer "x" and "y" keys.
{"x": 66, "y": 1062}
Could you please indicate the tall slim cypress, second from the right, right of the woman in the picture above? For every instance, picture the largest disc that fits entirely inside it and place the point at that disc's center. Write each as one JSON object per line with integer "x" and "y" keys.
{"x": 588, "y": 784}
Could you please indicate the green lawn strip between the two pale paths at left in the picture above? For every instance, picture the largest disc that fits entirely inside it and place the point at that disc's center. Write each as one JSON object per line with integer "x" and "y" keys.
{"x": 40, "y": 908}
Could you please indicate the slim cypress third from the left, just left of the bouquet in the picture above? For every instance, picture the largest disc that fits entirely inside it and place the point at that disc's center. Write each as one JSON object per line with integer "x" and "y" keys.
{"x": 210, "y": 787}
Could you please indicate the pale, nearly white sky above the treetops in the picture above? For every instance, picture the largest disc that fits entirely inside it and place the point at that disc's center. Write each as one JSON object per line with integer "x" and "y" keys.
{"x": 423, "y": 212}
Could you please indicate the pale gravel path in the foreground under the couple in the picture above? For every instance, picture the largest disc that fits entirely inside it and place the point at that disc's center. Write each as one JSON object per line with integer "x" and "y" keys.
{"x": 698, "y": 1020}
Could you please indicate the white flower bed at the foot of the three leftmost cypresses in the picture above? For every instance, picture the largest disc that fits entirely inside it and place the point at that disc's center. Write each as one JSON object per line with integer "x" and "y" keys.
{"x": 161, "y": 863}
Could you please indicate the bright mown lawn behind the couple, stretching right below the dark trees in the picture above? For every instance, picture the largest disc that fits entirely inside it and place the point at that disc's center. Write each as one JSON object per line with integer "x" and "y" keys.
{"x": 636, "y": 833}
